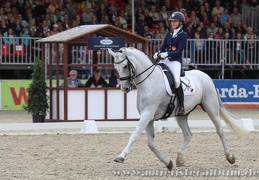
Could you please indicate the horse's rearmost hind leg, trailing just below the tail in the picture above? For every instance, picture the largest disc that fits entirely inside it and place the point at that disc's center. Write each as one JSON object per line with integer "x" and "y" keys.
{"x": 214, "y": 116}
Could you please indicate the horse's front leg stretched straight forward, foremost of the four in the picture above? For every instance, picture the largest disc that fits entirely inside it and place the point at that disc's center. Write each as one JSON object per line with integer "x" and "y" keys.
{"x": 144, "y": 120}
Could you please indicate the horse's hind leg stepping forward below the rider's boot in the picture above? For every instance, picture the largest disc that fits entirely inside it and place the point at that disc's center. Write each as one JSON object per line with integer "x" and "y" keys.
{"x": 187, "y": 135}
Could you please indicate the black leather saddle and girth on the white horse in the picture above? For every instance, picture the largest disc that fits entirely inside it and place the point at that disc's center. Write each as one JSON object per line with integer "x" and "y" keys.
{"x": 170, "y": 77}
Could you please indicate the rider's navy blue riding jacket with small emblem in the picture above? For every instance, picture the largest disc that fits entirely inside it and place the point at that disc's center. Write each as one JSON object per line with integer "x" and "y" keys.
{"x": 174, "y": 46}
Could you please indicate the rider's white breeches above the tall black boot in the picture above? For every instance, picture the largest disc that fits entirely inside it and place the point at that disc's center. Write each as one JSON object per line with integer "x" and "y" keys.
{"x": 175, "y": 67}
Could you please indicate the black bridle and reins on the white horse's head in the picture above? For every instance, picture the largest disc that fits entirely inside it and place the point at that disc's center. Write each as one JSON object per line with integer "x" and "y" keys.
{"x": 132, "y": 72}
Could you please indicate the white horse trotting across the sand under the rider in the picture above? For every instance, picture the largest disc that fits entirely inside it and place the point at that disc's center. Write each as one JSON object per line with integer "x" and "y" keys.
{"x": 136, "y": 68}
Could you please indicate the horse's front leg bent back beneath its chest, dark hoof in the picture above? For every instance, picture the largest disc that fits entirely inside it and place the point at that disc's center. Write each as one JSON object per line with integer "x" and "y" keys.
{"x": 150, "y": 136}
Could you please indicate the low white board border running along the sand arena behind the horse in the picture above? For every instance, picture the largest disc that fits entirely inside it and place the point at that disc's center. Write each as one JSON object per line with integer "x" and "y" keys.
{"x": 91, "y": 126}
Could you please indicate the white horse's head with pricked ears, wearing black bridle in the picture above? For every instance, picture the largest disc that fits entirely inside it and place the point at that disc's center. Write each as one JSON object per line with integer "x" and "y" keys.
{"x": 125, "y": 68}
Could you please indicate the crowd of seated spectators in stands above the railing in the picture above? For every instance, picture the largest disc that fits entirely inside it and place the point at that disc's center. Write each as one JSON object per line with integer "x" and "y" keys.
{"x": 151, "y": 16}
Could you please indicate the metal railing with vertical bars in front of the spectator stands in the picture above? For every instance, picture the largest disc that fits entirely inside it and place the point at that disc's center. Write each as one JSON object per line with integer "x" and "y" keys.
{"x": 203, "y": 53}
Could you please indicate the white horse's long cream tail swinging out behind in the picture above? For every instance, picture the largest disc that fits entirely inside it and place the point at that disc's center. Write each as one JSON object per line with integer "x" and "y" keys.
{"x": 231, "y": 120}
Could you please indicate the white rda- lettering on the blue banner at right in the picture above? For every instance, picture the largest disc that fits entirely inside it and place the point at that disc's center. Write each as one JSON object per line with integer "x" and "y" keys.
{"x": 235, "y": 92}
